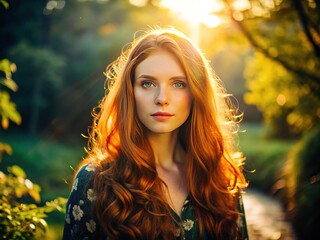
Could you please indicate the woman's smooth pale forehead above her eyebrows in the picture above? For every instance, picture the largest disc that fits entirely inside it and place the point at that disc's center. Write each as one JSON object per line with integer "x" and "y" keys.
{"x": 160, "y": 62}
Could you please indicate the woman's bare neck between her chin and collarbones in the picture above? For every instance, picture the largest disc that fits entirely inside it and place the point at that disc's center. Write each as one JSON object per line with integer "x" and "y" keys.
{"x": 167, "y": 149}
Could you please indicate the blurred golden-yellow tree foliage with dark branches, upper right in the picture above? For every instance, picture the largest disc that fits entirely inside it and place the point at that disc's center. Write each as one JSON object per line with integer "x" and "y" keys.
{"x": 283, "y": 74}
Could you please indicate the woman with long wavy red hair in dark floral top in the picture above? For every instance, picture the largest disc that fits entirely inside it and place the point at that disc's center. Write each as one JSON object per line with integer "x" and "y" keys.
{"x": 161, "y": 162}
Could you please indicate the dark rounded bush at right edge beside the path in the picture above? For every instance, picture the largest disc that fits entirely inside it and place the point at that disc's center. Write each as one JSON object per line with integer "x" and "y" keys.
{"x": 303, "y": 186}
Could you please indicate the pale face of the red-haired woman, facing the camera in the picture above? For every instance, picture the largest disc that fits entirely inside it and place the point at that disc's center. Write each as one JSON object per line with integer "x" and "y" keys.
{"x": 162, "y": 93}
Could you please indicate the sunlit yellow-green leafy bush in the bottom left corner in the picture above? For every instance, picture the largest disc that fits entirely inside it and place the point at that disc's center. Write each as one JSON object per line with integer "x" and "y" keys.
{"x": 18, "y": 220}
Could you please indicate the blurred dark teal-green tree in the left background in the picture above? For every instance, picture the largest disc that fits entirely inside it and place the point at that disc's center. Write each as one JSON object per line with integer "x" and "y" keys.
{"x": 39, "y": 79}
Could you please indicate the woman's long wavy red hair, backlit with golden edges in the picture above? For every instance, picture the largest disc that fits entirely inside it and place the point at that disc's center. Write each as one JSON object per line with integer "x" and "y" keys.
{"x": 130, "y": 202}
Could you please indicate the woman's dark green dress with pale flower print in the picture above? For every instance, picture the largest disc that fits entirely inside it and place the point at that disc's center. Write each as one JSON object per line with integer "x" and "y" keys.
{"x": 81, "y": 224}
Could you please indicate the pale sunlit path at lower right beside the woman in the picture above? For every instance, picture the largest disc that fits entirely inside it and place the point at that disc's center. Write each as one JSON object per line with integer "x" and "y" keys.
{"x": 265, "y": 218}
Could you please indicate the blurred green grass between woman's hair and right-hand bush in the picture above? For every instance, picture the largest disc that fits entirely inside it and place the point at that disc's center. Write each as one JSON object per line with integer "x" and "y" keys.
{"x": 265, "y": 157}
